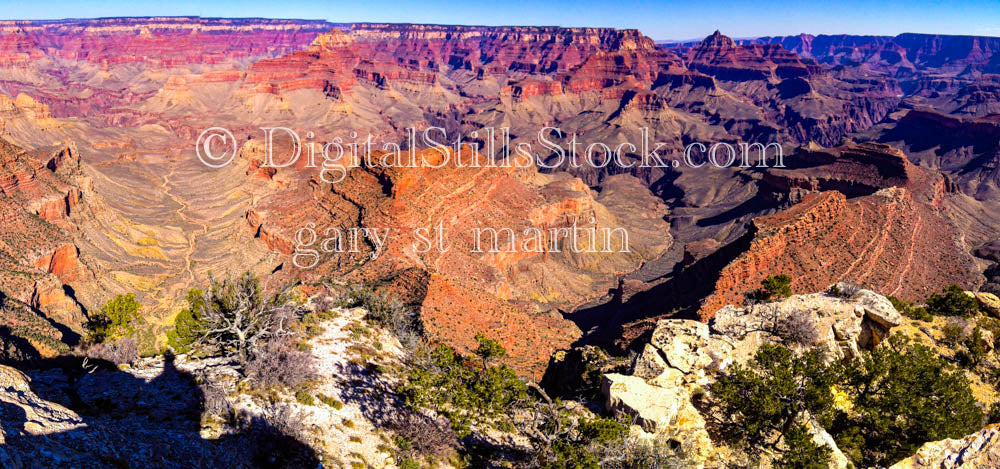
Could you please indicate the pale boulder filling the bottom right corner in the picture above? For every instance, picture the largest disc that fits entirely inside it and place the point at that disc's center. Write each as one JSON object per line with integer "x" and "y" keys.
{"x": 978, "y": 450}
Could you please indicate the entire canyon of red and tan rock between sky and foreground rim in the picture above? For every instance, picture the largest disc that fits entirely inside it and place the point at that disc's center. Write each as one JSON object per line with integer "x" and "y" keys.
{"x": 890, "y": 144}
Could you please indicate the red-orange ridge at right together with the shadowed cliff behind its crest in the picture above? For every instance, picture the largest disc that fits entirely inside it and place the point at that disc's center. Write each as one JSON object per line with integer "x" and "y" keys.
{"x": 894, "y": 235}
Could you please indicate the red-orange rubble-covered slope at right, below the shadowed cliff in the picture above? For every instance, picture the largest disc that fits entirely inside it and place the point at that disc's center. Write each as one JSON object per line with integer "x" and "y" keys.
{"x": 893, "y": 241}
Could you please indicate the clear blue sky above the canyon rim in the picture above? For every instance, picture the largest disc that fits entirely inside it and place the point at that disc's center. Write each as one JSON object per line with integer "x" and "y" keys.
{"x": 657, "y": 19}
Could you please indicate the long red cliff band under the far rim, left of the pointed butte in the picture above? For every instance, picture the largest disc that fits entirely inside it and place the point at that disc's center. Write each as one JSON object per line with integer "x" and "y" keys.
{"x": 579, "y": 59}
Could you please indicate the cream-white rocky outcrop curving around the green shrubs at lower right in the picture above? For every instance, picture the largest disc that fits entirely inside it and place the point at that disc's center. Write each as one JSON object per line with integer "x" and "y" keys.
{"x": 683, "y": 357}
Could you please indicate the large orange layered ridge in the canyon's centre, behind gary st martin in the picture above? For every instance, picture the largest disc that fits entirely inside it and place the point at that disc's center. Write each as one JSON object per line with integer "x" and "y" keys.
{"x": 492, "y": 244}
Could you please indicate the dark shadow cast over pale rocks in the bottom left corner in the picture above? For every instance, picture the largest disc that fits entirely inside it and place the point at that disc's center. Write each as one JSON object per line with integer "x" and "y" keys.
{"x": 130, "y": 422}
